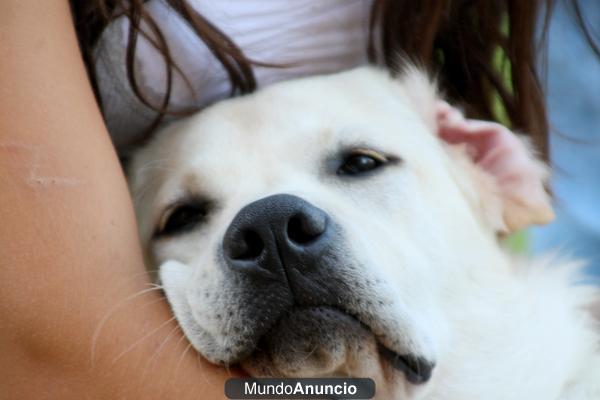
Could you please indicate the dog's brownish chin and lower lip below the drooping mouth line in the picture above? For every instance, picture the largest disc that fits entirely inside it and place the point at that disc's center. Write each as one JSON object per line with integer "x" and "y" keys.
{"x": 326, "y": 342}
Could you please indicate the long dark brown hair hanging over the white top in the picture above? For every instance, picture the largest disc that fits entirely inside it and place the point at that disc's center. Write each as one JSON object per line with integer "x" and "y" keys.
{"x": 483, "y": 52}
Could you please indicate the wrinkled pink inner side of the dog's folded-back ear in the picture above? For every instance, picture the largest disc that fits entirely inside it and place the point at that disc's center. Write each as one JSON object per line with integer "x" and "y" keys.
{"x": 510, "y": 179}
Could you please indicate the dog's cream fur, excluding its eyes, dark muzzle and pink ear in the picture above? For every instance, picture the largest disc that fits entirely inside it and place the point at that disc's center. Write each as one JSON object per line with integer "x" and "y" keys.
{"x": 497, "y": 327}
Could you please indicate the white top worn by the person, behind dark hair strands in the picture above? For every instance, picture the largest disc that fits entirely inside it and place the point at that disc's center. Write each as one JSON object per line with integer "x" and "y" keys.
{"x": 314, "y": 36}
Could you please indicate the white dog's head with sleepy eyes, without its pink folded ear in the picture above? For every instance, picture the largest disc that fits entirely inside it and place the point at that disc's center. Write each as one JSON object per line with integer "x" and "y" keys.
{"x": 322, "y": 227}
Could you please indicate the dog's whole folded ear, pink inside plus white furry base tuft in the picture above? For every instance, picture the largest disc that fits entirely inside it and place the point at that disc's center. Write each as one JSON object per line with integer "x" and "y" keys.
{"x": 510, "y": 181}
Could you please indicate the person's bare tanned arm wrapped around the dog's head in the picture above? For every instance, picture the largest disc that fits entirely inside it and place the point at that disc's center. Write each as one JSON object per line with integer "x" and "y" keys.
{"x": 69, "y": 256}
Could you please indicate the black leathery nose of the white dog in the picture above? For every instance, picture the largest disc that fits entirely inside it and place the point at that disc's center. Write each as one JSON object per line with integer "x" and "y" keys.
{"x": 274, "y": 234}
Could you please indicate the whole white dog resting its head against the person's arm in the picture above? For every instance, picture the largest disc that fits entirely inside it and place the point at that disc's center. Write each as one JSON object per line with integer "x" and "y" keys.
{"x": 347, "y": 225}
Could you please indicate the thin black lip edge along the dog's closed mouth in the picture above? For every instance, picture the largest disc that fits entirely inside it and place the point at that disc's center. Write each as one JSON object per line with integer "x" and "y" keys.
{"x": 416, "y": 369}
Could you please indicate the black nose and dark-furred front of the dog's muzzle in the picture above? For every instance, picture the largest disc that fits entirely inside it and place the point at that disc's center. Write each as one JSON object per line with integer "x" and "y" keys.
{"x": 288, "y": 254}
